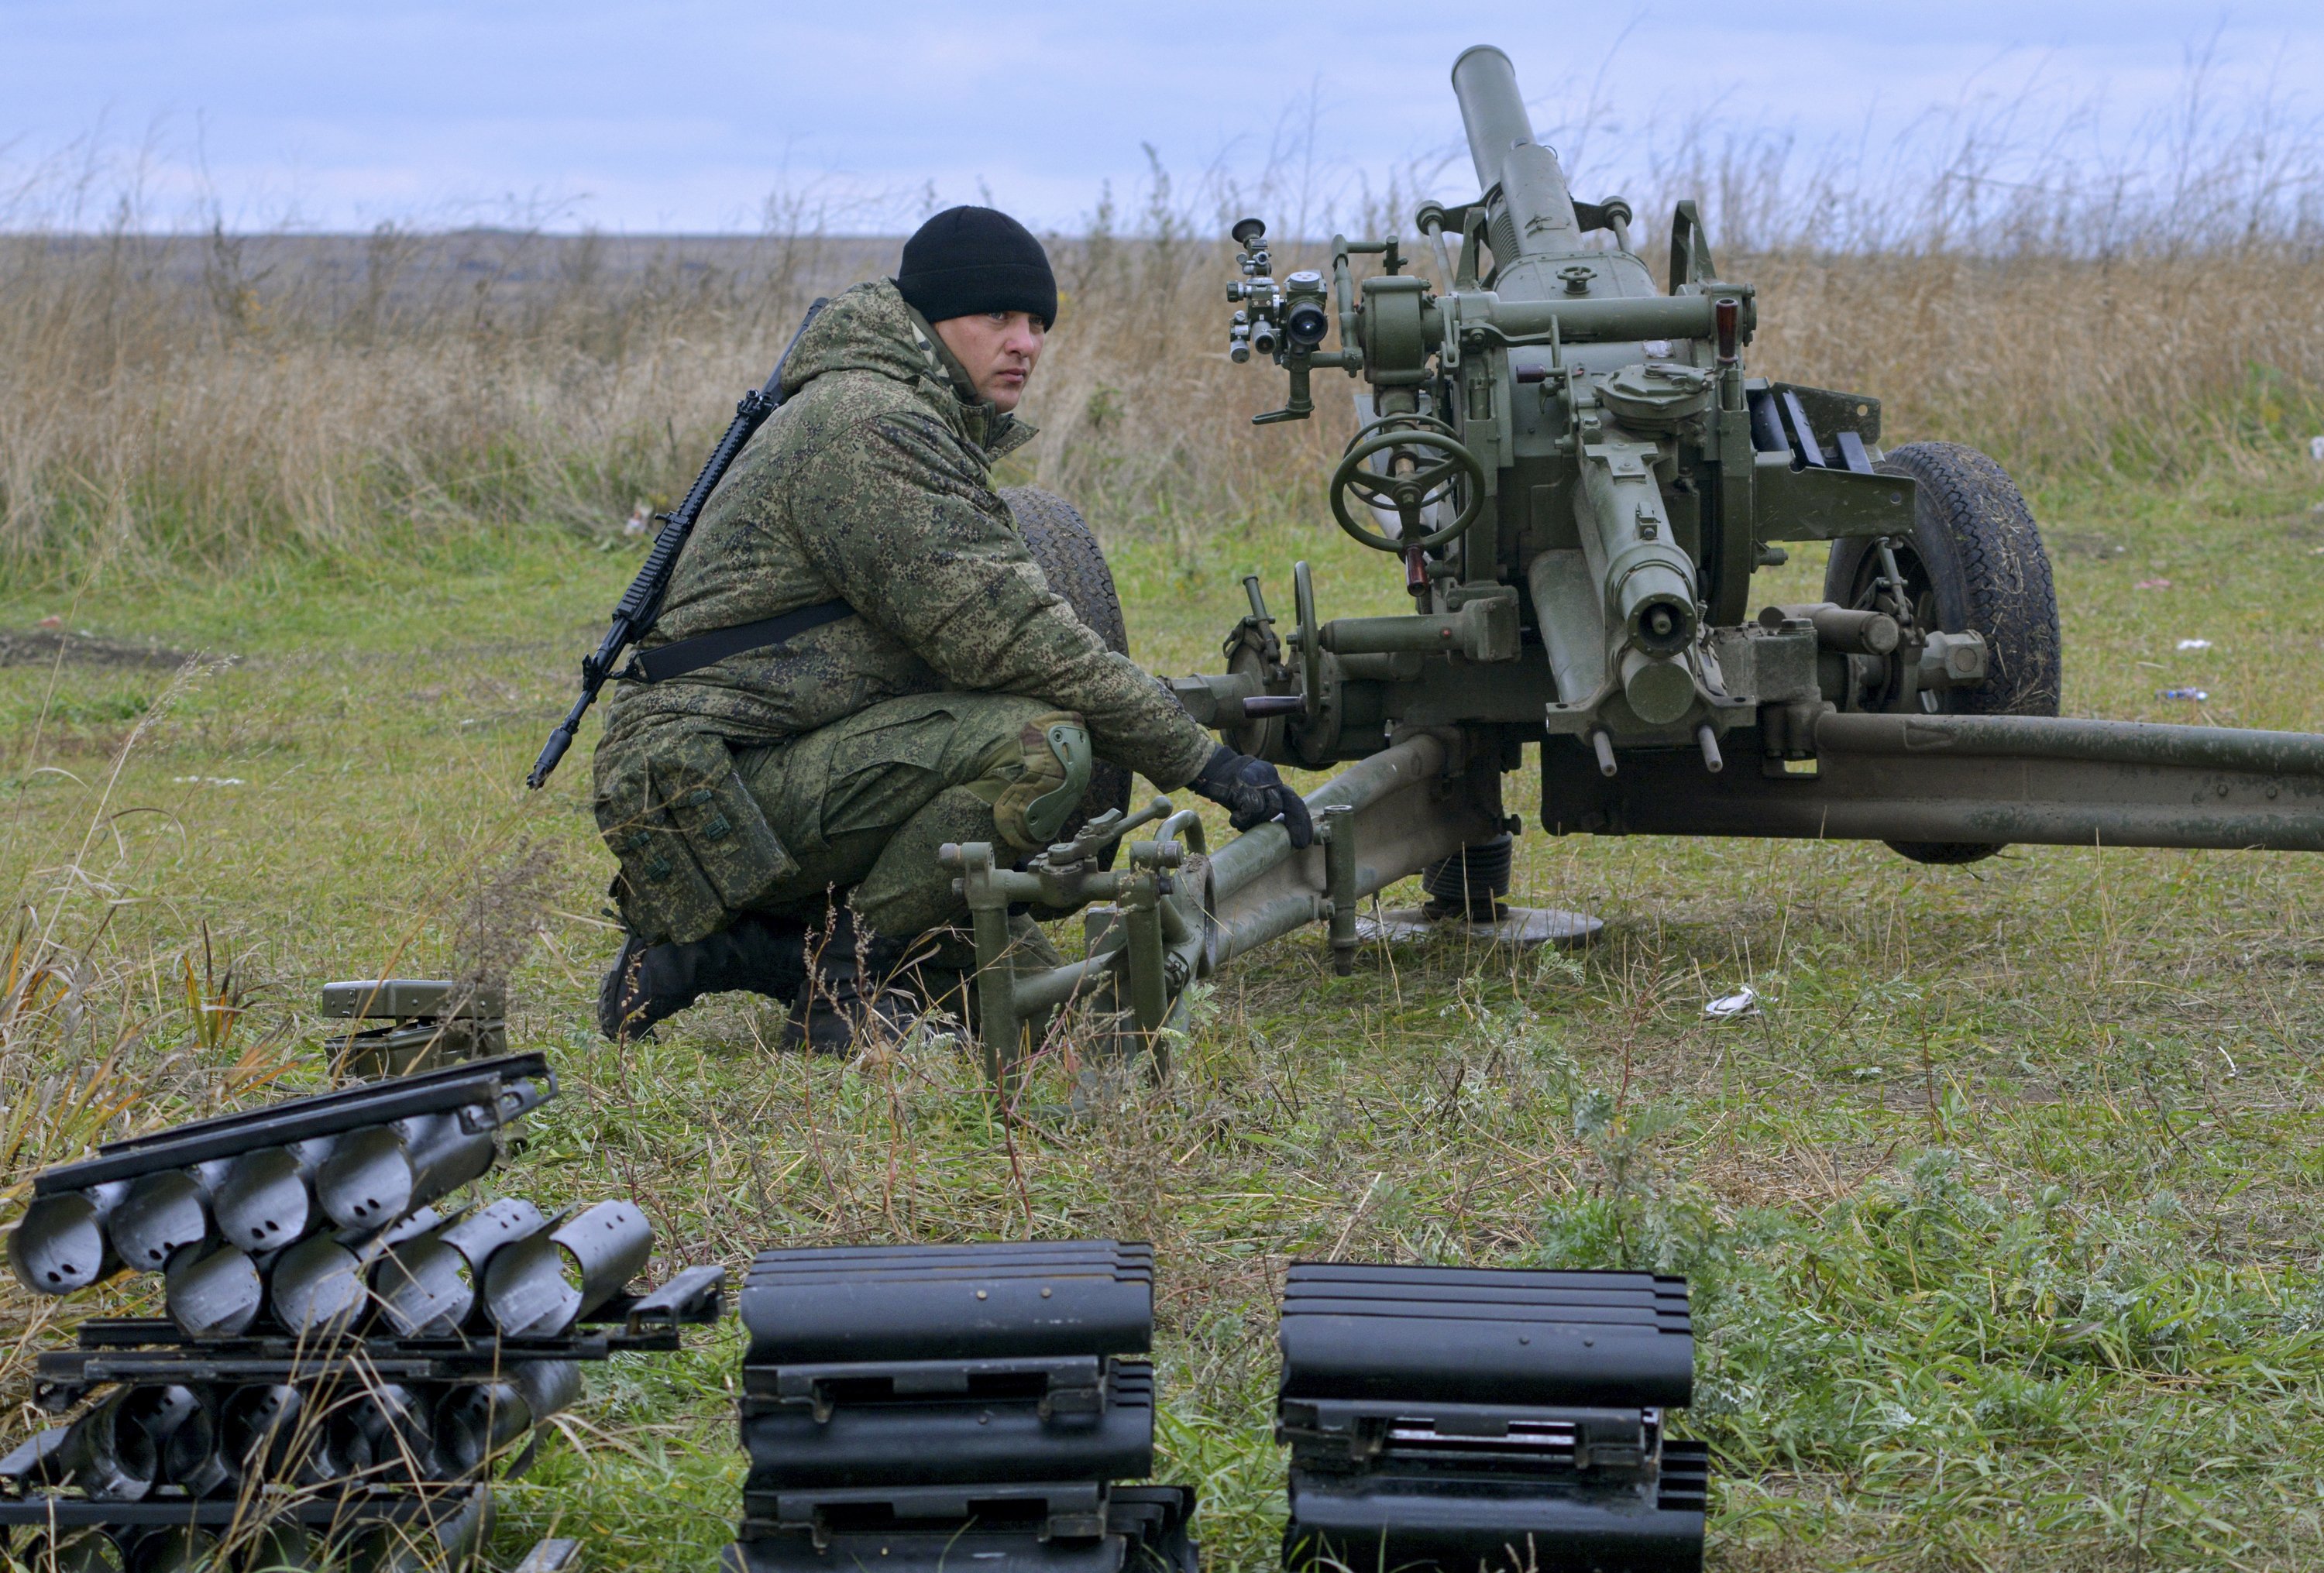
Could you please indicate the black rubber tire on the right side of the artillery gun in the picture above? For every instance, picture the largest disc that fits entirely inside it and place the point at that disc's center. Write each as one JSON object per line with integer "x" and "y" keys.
{"x": 1981, "y": 566}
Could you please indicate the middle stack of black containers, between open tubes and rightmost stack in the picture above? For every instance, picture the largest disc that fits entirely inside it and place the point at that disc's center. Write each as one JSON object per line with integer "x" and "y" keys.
{"x": 977, "y": 1407}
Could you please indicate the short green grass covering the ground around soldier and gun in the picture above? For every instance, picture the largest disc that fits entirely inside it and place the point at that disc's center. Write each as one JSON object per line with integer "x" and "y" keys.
{"x": 2000, "y": 1216}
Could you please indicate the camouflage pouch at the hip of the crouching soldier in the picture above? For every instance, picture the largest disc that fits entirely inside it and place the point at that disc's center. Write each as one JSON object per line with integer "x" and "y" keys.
{"x": 694, "y": 847}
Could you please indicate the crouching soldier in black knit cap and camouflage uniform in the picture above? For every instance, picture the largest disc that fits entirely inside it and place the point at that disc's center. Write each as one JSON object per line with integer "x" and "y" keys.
{"x": 859, "y": 661}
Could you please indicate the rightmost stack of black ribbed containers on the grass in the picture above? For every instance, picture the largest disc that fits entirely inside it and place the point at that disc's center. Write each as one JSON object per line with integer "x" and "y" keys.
{"x": 1449, "y": 1418}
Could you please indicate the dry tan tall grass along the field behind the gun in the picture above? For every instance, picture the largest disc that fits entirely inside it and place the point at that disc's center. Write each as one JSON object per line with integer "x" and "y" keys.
{"x": 201, "y": 401}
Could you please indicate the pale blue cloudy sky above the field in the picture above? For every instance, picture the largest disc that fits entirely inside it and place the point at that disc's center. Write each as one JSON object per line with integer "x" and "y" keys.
{"x": 691, "y": 115}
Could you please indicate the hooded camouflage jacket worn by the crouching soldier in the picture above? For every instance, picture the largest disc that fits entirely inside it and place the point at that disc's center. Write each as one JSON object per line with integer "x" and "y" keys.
{"x": 873, "y": 487}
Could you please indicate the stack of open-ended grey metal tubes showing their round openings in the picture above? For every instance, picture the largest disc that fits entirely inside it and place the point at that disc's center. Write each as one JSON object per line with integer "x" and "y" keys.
{"x": 347, "y": 1356}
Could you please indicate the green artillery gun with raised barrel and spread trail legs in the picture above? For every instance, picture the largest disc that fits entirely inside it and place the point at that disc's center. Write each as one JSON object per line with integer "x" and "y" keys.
{"x": 1577, "y": 477}
